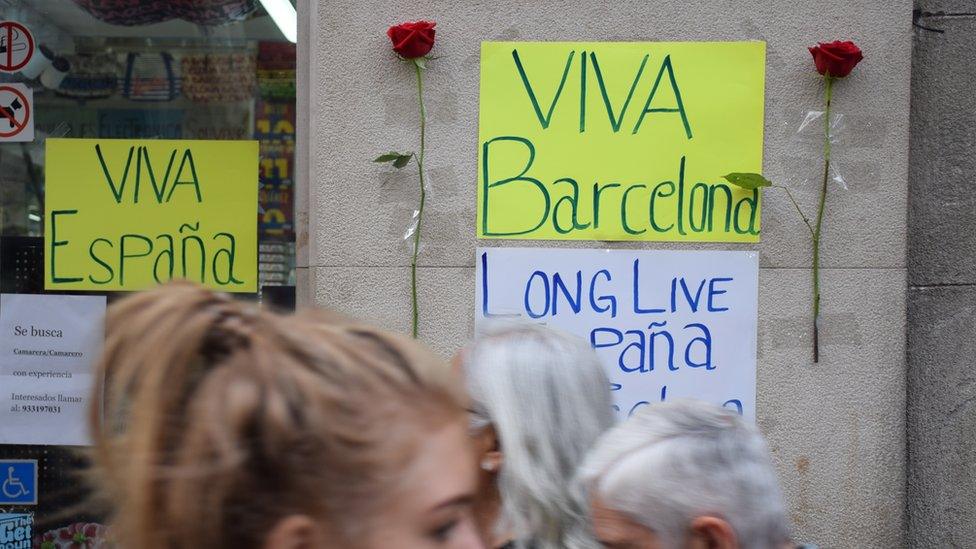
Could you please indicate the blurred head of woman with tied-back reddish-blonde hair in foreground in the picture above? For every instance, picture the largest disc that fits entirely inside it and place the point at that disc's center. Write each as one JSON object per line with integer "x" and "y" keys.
{"x": 226, "y": 426}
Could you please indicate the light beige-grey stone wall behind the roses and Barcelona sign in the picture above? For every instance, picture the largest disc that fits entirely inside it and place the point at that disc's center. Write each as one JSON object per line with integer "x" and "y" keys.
{"x": 837, "y": 429}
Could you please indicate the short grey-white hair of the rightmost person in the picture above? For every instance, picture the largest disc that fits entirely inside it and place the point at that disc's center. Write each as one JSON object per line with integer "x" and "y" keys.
{"x": 676, "y": 461}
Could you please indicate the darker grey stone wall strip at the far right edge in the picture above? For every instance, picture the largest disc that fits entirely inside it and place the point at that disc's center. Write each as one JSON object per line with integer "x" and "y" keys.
{"x": 942, "y": 278}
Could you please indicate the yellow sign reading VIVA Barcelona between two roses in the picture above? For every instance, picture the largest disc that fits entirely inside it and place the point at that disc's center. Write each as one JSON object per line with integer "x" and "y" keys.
{"x": 619, "y": 141}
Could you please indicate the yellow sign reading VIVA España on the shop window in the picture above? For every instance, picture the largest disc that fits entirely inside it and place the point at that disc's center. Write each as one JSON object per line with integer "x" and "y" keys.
{"x": 123, "y": 214}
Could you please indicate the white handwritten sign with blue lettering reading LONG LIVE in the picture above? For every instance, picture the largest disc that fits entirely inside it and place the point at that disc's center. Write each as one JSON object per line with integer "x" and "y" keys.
{"x": 666, "y": 324}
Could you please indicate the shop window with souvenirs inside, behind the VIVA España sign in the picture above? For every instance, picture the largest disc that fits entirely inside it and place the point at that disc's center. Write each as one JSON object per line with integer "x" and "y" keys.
{"x": 142, "y": 69}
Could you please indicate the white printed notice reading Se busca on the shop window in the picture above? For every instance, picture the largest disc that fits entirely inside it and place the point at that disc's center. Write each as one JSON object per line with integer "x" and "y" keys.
{"x": 48, "y": 346}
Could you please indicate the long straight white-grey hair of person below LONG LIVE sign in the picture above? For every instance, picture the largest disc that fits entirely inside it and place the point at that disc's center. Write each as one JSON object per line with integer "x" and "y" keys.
{"x": 548, "y": 398}
